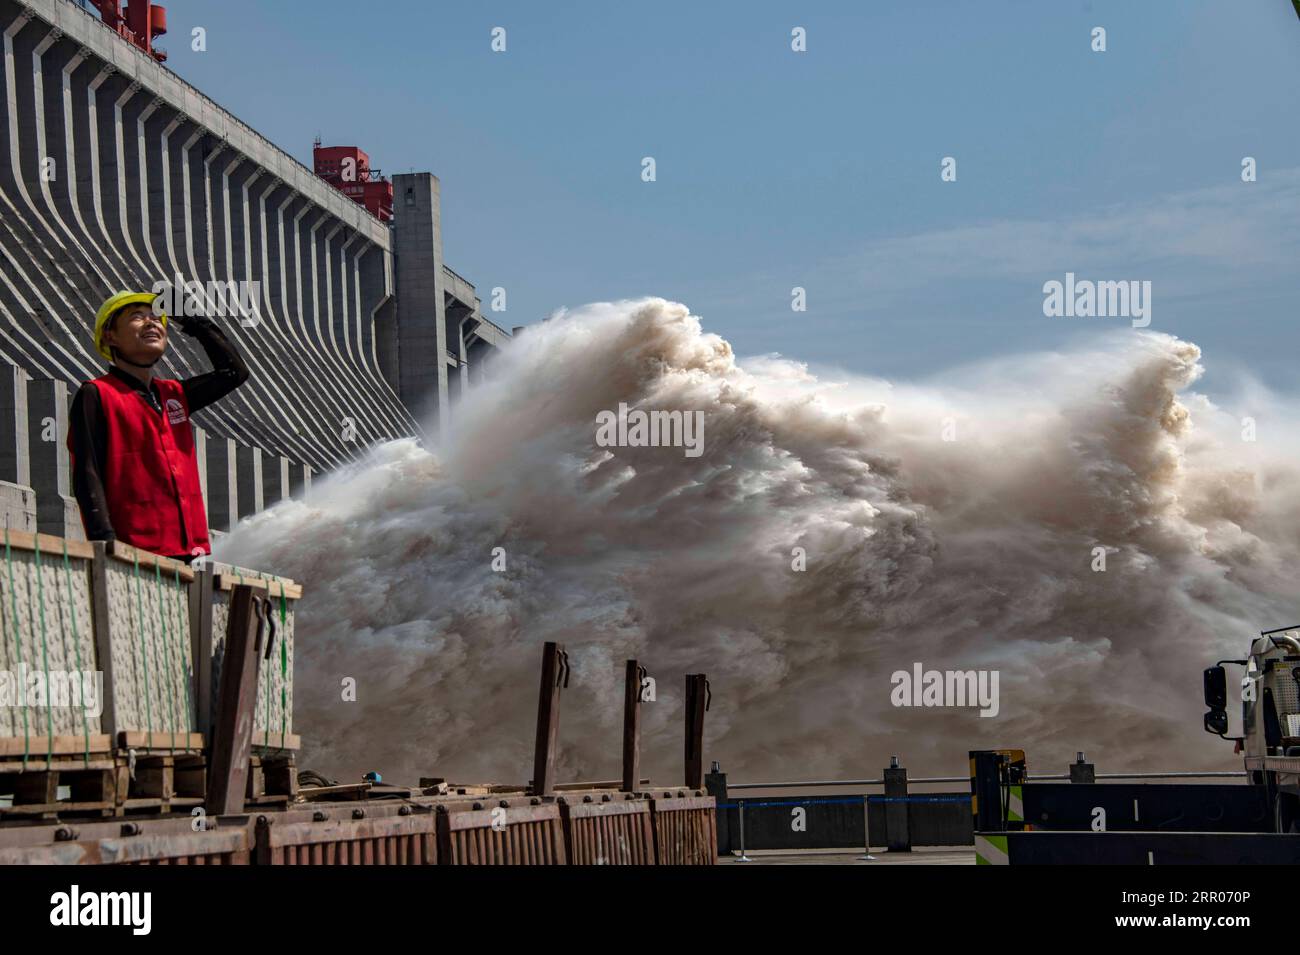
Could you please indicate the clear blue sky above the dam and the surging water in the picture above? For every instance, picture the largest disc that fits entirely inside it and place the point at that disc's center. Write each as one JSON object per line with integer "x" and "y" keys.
{"x": 820, "y": 170}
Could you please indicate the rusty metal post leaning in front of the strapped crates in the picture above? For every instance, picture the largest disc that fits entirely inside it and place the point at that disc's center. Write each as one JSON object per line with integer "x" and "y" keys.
{"x": 232, "y": 741}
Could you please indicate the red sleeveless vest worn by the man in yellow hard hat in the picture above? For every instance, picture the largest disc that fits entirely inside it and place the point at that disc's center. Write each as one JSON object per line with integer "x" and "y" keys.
{"x": 151, "y": 475}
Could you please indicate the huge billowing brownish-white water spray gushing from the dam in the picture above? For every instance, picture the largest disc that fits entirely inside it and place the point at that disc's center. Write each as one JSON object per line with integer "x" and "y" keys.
{"x": 954, "y": 526}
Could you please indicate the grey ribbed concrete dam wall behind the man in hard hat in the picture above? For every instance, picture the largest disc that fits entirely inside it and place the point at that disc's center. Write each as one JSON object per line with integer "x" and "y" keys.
{"x": 115, "y": 173}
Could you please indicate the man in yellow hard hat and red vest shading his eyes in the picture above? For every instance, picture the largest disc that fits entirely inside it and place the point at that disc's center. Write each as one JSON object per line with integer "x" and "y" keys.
{"x": 136, "y": 475}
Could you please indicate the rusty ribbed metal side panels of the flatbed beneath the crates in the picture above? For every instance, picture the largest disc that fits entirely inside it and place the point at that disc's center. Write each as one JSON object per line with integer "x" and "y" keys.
{"x": 638, "y": 831}
